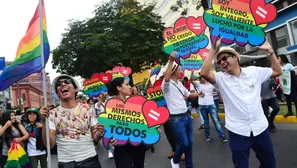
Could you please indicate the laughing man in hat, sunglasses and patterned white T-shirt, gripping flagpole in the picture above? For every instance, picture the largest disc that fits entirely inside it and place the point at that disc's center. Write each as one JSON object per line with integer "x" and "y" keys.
{"x": 73, "y": 126}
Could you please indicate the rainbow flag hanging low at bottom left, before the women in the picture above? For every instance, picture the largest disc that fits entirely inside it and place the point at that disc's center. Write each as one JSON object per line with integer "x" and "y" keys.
{"x": 17, "y": 157}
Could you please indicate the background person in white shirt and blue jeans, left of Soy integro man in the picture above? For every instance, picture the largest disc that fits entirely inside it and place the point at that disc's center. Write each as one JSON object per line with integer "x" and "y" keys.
{"x": 207, "y": 106}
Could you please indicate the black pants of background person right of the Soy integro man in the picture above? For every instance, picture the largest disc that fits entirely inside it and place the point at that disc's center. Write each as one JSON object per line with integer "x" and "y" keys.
{"x": 273, "y": 103}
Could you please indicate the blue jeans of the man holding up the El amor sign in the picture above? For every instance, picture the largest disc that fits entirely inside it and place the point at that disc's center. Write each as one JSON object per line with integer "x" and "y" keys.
{"x": 183, "y": 129}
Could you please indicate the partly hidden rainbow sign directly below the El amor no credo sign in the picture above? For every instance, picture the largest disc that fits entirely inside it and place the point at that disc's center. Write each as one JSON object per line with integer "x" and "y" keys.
{"x": 195, "y": 61}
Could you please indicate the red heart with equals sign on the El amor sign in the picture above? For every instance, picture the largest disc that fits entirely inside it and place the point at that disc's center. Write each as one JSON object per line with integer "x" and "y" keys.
{"x": 196, "y": 25}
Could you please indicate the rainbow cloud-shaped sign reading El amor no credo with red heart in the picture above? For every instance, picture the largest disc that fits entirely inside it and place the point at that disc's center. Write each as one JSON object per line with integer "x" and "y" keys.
{"x": 186, "y": 37}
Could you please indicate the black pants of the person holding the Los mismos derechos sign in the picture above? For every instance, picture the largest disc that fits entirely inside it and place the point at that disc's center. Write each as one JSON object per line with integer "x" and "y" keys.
{"x": 129, "y": 156}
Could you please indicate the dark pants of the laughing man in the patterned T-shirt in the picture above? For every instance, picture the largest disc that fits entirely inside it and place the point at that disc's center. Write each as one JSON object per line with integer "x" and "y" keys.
{"x": 92, "y": 162}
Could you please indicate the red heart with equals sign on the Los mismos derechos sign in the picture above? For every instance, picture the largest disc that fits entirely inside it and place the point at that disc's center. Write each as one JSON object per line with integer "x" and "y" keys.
{"x": 153, "y": 114}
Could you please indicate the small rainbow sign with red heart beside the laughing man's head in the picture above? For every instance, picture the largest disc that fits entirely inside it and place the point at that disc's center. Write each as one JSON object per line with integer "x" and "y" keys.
{"x": 94, "y": 86}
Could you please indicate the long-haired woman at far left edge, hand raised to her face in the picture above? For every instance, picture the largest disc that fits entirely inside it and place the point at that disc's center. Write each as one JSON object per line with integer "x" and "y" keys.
{"x": 11, "y": 130}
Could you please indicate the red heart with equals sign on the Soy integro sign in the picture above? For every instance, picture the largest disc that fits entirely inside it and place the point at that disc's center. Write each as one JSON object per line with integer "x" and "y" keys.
{"x": 262, "y": 12}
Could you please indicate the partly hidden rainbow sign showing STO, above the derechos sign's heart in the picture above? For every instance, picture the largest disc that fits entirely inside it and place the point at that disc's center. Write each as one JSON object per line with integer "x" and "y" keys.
{"x": 155, "y": 93}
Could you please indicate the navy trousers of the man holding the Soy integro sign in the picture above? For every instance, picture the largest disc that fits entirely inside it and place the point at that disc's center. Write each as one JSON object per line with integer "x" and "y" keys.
{"x": 262, "y": 145}
